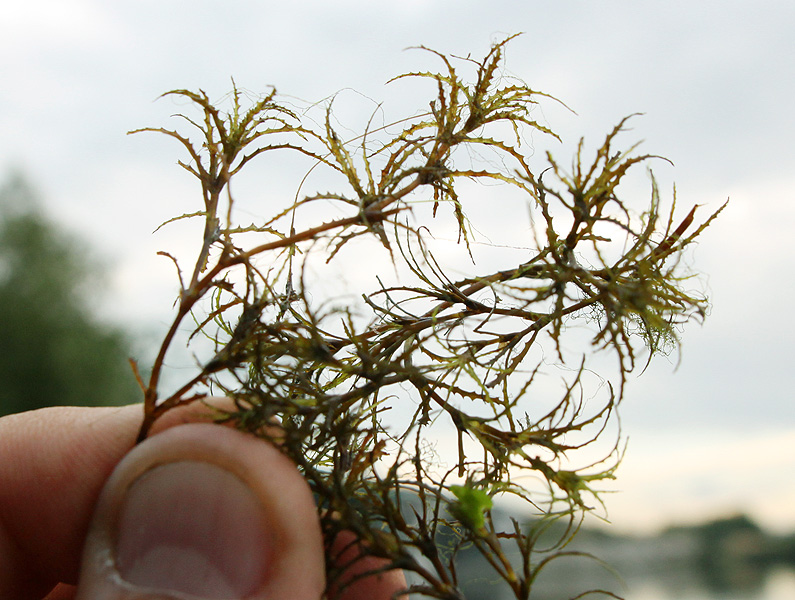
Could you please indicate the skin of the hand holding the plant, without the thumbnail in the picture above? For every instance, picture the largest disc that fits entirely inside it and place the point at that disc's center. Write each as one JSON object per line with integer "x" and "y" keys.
{"x": 54, "y": 464}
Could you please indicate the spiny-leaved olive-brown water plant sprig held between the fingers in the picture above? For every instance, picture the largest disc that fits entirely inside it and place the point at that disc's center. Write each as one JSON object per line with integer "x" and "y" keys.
{"x": 466, "y": 353}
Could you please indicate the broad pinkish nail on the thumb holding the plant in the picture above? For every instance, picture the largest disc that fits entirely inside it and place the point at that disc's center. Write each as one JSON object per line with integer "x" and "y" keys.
{"x": 193, "y": 528}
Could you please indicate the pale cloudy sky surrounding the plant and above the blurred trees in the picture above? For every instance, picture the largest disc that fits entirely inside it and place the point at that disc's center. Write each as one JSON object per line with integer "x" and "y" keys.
{"x": 715, "y": 81}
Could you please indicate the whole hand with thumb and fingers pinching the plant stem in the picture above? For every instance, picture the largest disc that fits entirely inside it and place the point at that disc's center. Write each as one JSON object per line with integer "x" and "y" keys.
{"x": 195, "y": 511}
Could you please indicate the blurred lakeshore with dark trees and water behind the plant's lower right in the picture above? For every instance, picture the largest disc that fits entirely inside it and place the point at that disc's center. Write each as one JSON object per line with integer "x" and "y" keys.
{"x": 726, "y": 559}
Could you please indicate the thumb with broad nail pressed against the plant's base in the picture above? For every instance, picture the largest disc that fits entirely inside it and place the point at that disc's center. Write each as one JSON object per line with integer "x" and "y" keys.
{"x": 201, "y": 511}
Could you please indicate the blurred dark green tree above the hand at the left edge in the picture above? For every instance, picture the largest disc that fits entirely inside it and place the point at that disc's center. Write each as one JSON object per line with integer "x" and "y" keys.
{"x": 54, "y": 350}
